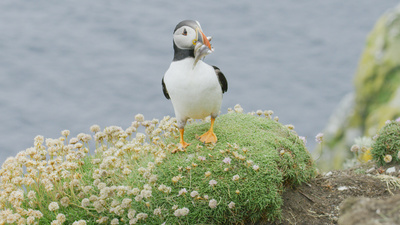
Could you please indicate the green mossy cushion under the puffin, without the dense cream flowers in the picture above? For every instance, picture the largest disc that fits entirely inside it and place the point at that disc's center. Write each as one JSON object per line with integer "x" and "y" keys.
{"x": 279, "y": 153}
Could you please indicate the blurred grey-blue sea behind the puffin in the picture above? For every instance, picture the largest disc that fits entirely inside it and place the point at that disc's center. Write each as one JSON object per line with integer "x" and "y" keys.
{"x": 72, "y": 64}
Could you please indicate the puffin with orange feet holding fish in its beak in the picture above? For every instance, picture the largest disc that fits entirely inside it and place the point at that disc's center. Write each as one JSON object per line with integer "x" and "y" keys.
{"x": 194, "y": 87}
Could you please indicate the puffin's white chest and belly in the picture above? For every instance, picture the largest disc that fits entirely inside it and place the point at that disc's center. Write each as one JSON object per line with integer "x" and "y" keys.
{"x": 194, "y": 92}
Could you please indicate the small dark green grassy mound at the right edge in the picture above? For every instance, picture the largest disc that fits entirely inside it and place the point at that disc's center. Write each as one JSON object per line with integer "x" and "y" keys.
{"x": 386, "y": 148}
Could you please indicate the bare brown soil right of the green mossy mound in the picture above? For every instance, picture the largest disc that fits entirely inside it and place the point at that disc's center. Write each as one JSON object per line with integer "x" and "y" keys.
{"x": 320, "y": 200}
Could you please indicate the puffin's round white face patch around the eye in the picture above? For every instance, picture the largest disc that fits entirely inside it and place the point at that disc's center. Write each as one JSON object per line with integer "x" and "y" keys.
{"x": 185, "y": 37}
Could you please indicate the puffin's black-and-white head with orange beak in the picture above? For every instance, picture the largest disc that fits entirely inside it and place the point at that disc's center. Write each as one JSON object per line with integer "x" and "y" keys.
{"x": 187, "y": 35}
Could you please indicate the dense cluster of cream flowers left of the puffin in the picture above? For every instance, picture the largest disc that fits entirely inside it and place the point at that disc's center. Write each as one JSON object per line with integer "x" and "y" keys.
{"x": 57, "y": 167}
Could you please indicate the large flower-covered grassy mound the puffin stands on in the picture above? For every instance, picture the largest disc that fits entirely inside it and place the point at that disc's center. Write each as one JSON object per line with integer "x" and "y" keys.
{"x": 137, "y": 178}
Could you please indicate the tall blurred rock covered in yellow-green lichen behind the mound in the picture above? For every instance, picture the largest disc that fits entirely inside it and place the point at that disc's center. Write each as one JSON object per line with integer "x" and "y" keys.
{"x": 376, "y": 98}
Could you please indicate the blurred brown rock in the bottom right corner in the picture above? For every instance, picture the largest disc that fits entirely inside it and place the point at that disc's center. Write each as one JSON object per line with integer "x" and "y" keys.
{"x": 370, "y": 211}
